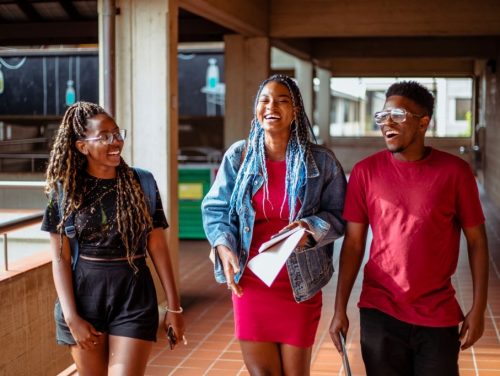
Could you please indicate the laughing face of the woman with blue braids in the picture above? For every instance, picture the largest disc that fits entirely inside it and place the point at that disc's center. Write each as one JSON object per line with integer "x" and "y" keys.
{"x": 275, "y": 110}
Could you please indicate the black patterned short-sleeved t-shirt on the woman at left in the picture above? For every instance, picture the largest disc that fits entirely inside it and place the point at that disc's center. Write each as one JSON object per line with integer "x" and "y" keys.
{"x": 95, "y": 221}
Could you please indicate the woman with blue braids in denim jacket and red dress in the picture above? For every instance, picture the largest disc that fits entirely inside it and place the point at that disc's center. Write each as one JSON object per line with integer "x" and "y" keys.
{"x": 274, "y": 180}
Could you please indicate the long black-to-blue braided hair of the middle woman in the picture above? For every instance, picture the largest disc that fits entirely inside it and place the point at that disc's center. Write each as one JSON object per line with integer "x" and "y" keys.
{"x": 297, "y": 153}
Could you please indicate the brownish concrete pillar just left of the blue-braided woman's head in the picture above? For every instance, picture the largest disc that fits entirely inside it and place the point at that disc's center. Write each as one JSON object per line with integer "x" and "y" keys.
{"x": 247, "y": 64}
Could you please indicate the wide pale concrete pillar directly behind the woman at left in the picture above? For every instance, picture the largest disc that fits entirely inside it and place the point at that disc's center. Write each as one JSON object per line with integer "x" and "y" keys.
{"x": 146, "y": 101}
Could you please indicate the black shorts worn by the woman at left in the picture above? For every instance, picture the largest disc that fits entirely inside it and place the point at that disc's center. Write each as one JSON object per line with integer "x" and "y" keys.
{"x": 114, "y": 299}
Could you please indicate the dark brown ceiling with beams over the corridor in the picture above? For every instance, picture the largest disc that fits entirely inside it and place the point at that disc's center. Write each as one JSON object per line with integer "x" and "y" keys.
{"x": 346, "y": 37}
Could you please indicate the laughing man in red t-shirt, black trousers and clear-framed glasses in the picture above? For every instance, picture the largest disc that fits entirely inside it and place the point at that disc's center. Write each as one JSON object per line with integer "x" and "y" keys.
{"x": 416, "y": 200}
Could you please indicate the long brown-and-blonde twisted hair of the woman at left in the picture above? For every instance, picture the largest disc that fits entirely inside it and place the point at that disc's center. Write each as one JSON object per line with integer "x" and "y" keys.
{"x": 67, "y": 167}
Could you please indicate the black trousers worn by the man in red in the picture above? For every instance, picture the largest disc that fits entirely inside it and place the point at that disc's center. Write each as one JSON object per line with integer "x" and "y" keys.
{"x": 391, "y": 347}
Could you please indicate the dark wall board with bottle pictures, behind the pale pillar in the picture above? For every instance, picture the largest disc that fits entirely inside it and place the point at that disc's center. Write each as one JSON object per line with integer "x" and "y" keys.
{"x": 38, "y": 86}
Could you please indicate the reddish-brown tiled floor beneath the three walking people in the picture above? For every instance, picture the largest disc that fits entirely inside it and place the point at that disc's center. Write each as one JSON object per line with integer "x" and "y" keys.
{"x": 212, "y": 349}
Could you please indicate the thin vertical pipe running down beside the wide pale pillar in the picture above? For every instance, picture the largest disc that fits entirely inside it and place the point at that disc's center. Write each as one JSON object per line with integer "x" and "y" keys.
{"x": 108, "y": 51}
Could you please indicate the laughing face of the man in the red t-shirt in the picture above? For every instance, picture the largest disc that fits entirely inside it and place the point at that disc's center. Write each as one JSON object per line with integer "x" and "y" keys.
{"x": 405, "y": 140}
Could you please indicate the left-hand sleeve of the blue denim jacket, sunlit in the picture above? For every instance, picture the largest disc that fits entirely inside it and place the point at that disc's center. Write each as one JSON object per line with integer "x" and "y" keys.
{"x": 220, "y": 227}
